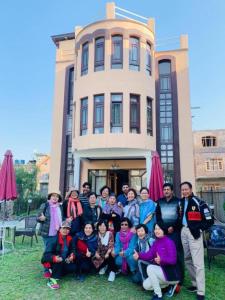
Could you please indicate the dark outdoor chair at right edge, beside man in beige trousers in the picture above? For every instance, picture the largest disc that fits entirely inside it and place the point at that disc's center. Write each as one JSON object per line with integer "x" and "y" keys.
{"x": 212, "y": 250}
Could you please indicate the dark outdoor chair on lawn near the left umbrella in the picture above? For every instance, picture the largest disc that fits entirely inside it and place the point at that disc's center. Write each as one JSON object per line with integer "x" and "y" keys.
{"x": 29, "y": 229}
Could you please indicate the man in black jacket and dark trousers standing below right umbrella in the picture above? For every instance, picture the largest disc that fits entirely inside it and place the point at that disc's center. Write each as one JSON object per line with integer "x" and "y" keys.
{"x": 168, "y": 217}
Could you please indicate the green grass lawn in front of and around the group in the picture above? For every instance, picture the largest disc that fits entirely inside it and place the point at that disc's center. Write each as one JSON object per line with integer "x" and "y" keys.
{"x": 21, "y": 279}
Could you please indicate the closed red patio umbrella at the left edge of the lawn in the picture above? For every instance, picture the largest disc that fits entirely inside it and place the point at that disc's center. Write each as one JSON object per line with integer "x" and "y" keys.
{"x": 7, "y": 179}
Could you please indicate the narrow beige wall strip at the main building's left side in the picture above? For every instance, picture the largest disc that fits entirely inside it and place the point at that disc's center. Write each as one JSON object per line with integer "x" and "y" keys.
{"x": 64, "y": 58}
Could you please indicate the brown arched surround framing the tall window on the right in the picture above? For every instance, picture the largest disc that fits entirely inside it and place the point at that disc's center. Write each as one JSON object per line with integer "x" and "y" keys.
{"x": 176, "y": 147}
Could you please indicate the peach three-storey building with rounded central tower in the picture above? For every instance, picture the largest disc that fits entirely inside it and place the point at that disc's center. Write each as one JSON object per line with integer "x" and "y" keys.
{"x": 116, "y": 100}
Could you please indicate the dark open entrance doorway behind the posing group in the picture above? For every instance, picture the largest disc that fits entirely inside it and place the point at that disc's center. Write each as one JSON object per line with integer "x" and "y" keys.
{"x": 116, "y": 178}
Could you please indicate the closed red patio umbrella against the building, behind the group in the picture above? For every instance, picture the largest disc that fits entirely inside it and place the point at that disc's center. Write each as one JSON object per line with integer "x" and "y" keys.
{"x": 156, "y": 179}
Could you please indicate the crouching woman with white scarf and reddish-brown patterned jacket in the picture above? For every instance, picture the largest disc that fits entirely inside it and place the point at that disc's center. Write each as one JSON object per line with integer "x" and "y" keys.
{"x": 103, "y": 258}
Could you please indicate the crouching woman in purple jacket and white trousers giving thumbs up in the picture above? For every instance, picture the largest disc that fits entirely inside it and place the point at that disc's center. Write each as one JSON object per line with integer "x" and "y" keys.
{"x": 162, "y": 270}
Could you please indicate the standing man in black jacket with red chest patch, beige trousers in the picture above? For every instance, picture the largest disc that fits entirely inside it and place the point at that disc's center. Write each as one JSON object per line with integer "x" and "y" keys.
{"x": 196, "y": 217}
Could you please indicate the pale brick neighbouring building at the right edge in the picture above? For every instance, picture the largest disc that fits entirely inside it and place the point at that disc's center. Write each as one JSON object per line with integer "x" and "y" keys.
{"x": 209, "y": 156}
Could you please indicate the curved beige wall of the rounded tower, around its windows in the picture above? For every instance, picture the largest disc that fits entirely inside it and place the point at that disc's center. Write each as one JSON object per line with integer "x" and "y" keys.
{"x": 114, "y": 81}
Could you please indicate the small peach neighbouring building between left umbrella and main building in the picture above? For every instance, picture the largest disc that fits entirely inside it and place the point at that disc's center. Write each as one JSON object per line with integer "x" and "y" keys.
{"x": 43, "y": 167}
